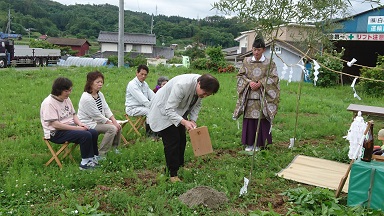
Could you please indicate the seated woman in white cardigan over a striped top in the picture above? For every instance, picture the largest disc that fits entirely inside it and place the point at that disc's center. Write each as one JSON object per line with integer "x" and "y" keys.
{"x": 96, "y": 114}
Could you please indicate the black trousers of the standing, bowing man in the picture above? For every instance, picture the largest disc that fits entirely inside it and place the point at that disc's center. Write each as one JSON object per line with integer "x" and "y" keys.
{"x": 174, "y": 140}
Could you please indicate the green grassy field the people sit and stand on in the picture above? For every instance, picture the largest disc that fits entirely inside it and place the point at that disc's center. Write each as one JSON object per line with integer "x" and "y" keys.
{"x": 133, "y": 183}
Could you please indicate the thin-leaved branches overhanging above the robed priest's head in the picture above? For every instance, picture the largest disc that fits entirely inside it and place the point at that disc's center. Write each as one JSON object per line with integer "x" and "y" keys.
{"x": 268, "y": 15}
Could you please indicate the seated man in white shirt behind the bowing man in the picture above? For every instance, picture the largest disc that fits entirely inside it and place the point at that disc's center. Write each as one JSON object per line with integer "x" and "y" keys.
{"x": 138, "y": 95}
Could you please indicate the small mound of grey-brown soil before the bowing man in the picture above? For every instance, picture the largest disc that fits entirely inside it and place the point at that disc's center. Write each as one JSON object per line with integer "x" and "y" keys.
{"x": 203, "y": 195}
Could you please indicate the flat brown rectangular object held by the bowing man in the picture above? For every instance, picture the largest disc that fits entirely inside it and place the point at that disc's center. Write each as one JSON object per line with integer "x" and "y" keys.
{"x": 201, "y": 142}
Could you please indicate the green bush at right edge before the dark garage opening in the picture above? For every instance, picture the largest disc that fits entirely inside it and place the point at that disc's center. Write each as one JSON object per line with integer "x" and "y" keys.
{"x": 371, "y": 87}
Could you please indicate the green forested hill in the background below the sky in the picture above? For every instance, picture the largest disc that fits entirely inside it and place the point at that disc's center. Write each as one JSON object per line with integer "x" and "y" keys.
{"x": 86, "y": 21}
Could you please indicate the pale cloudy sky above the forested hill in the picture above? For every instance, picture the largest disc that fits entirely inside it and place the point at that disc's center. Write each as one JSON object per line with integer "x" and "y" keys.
{"x": 194, "y": 9}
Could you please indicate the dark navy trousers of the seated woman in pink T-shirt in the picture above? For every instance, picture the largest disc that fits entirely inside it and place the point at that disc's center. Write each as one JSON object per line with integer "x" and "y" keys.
{"x": 86, "y": 139}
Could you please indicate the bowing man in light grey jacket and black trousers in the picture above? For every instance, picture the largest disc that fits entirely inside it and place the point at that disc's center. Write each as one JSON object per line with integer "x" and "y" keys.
{"x": 174, "y": 110}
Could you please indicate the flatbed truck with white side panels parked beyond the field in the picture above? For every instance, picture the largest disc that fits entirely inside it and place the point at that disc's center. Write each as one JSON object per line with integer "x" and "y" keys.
{"x": 22, "y": 55}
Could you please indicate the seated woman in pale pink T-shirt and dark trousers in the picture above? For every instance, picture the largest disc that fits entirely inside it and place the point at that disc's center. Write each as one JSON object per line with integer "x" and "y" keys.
{"x": 61, "y": 124}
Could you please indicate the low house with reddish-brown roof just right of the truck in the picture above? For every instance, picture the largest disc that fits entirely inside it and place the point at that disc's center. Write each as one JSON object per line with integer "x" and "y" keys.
{"x": 80, "y": 45}
